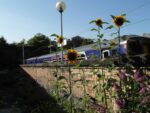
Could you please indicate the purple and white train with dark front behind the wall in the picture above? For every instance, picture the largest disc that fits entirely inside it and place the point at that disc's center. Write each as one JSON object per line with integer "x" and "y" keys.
{"x": 135, "y": 49}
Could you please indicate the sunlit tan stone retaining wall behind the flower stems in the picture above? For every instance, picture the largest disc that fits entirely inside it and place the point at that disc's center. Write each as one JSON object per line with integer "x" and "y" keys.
{"x": 46, "y": 77}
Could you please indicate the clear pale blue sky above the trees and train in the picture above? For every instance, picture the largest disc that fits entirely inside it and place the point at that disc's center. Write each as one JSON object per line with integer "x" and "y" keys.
{"x": 22, "y": 19}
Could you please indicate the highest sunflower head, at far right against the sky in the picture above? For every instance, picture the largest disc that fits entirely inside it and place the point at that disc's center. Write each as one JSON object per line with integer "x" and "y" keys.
{"x": 119, "y": 20}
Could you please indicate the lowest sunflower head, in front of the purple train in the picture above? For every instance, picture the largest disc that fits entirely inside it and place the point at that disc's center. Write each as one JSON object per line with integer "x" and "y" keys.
{"x": 71, "y": 56}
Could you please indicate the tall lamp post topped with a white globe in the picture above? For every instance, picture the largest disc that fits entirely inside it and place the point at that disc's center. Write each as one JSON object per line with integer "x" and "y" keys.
{"x": 60, "y": 6}
